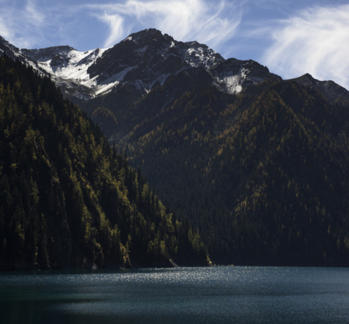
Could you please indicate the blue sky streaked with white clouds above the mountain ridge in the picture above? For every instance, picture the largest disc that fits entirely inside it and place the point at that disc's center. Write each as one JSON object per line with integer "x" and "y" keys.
{"x": 290, "y": 37}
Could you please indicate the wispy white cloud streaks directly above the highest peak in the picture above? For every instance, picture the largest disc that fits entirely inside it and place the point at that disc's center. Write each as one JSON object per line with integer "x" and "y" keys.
{"x": 211, "y": 23}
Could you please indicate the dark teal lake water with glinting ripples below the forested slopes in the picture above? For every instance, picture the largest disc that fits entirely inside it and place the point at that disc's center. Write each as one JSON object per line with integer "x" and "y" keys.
{"x": 177, "y": 295}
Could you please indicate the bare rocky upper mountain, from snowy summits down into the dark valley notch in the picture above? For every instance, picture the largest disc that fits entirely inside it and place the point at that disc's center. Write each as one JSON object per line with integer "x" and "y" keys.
{"x": 118, "y": 77}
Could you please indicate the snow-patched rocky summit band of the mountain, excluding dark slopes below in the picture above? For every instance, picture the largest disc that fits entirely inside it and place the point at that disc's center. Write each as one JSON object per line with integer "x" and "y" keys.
{"x": 143, "y": 61}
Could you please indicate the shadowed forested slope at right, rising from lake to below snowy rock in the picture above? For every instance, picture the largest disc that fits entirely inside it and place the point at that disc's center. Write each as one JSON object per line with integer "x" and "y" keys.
{"x": 263, "y": 174}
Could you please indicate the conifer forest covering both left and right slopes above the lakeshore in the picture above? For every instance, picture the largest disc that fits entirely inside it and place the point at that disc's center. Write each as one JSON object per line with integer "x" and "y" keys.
{"x": 263, "y": 176}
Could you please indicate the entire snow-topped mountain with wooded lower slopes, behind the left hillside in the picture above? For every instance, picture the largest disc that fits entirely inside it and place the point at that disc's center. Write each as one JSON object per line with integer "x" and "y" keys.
{"x": 258, "y": 164}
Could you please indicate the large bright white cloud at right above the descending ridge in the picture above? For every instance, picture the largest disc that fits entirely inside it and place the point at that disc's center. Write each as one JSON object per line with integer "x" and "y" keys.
{"x": 316, "y": 41}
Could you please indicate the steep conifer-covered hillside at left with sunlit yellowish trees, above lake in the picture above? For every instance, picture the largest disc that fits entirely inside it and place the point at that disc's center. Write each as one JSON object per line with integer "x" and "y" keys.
{"x": 67, "y": 198}
